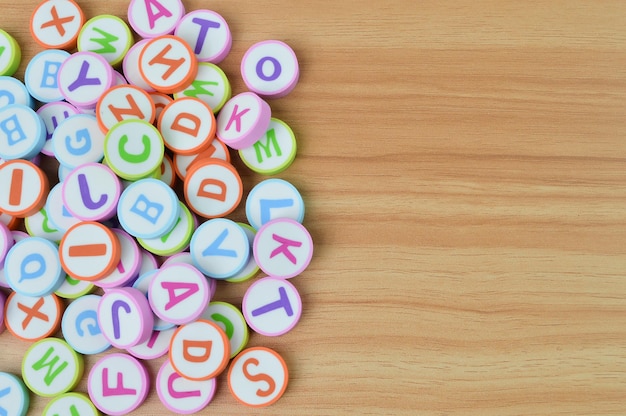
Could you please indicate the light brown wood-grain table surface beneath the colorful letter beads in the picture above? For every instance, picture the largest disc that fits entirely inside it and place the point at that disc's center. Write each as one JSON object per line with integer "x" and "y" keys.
{"x": 463, "y": 168}
